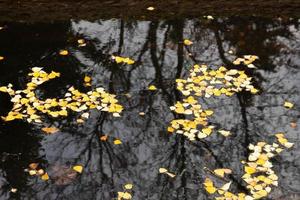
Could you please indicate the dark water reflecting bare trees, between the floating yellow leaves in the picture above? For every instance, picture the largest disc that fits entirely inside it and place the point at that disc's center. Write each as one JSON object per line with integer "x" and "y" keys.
{"x": 160, "y": 59}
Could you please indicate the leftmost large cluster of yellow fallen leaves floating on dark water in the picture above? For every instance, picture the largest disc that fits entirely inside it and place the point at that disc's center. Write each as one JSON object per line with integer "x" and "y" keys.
{"x": 27, "y": 105}
